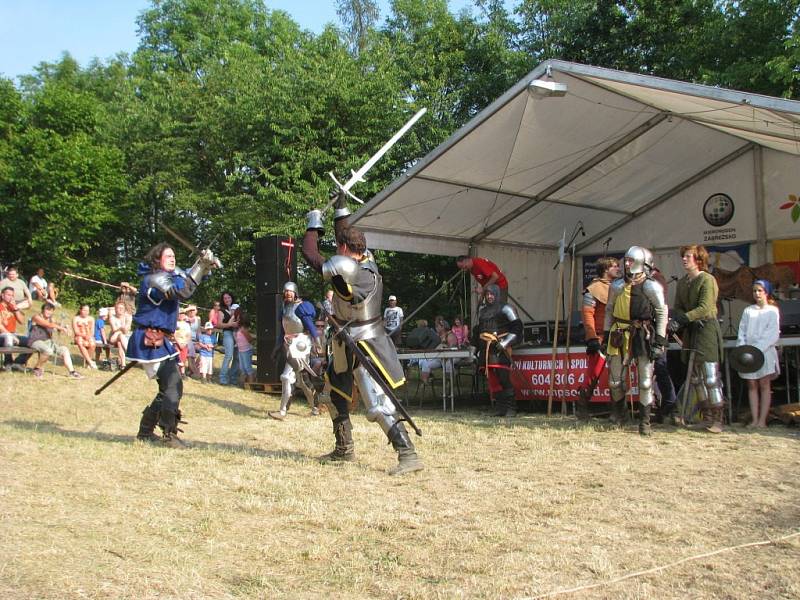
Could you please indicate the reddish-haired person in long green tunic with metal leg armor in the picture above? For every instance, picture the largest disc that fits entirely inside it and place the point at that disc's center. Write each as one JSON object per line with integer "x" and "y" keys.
{"x": 694, "y": 317}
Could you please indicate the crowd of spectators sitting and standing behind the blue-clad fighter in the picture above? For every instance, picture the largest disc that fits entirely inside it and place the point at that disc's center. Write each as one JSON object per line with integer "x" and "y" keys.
{"x": 101, "y": 340}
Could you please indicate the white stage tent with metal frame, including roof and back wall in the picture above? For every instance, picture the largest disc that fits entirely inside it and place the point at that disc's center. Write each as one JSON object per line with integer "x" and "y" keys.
{"x": 639, "y": 159}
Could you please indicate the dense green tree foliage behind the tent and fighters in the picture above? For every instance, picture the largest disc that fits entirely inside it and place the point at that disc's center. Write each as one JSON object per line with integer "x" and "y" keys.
{"x": 228, "y": 116}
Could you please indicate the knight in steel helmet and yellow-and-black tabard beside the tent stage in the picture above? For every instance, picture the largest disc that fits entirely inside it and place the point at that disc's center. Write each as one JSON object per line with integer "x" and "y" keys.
{"x": 636, "y": 330}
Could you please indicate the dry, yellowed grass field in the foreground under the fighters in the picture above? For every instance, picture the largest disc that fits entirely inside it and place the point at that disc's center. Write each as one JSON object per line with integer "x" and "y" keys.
{"x": 505, "y": 508}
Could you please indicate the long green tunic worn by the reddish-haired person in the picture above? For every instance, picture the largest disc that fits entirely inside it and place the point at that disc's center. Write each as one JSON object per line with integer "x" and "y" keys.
{"x": 698, "y": 299}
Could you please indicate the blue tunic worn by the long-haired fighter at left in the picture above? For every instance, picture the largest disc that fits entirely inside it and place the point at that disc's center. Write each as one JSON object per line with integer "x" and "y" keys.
{"x": 154, "y": 309}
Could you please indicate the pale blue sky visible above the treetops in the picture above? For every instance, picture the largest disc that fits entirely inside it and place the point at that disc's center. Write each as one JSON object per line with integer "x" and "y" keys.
{"x": 32, "y": 31}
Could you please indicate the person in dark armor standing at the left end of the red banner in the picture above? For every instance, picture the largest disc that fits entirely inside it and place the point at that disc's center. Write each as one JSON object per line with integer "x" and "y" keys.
{"x": 499, "y": 329}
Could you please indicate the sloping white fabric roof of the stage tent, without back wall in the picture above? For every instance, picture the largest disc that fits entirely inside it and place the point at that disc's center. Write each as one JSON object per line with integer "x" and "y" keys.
{"x": 530, "y": 166}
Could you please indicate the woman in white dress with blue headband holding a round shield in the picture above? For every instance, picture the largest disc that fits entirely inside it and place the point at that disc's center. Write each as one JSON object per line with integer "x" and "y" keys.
{"x": 760, "y": 327}
